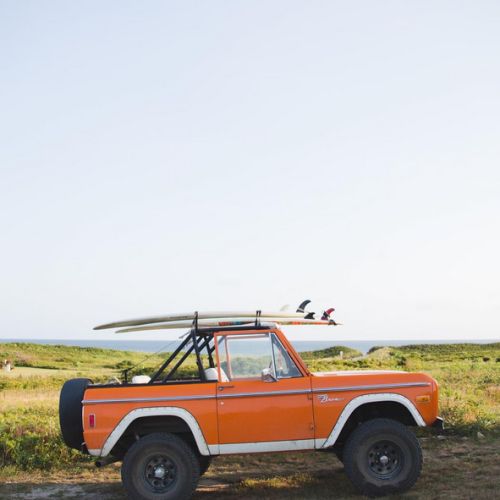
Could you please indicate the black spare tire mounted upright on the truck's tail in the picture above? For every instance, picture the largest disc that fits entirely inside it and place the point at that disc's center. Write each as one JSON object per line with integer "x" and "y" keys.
{"x": 70, "y": 411}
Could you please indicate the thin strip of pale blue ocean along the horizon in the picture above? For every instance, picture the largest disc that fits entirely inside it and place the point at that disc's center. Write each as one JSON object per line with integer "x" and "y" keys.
{"x": 151, "y": 346}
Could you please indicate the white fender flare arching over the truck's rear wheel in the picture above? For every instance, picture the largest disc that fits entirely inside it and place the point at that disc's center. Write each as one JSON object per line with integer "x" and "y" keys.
{"x": 118, "y": 431}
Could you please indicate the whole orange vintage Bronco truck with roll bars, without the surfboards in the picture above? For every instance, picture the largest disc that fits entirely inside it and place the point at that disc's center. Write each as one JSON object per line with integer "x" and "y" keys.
{"x": 251, "y": 393}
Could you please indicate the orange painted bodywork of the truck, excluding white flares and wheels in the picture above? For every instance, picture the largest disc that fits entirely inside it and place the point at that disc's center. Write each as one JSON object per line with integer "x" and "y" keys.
{"x": 251, "y": 410}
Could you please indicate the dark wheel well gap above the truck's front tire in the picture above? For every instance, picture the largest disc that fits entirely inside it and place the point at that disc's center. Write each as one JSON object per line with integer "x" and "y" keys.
{"x": 368, "y": 411}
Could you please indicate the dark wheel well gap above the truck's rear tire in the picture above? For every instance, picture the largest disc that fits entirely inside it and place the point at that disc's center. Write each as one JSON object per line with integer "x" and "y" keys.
{"x": 143, "y": 426}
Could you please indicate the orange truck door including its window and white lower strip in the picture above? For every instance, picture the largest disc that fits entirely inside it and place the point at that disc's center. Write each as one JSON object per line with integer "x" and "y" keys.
{"x": 263, "y": 399}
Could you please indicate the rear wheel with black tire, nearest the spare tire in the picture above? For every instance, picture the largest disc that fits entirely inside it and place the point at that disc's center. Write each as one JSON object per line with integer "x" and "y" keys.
{"x": 160, "y": 466}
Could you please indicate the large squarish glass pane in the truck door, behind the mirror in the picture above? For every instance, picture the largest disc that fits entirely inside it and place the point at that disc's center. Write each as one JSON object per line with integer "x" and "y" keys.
{"x": 245, "y": 356}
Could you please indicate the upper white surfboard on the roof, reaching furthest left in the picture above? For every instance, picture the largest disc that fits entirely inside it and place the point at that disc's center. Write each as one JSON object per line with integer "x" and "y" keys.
{"x": 201, "y": 315}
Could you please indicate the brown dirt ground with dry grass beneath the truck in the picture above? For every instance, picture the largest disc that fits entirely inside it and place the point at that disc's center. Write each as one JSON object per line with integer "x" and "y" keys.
{"x": 457, "y": 468}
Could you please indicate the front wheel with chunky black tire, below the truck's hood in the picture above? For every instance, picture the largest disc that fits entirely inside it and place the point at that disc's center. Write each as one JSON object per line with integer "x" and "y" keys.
{"x": 382, "y": 457}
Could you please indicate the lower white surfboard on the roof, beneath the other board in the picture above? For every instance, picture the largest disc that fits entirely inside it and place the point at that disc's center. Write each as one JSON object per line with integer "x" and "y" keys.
{"x": 228, "y": 322}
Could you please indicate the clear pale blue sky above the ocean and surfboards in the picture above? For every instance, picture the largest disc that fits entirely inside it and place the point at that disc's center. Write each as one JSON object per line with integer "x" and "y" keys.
{"x": 171, "y": 156}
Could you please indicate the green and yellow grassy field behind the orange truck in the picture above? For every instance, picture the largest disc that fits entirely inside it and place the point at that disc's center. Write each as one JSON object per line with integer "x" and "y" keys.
{"x": 468, "y": 375}
